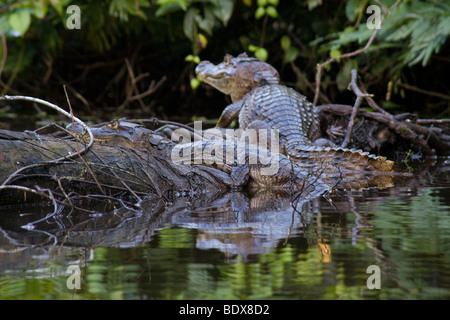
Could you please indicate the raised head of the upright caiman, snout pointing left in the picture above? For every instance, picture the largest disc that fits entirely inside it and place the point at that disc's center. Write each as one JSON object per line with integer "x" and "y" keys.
{"x": 237, "y": 76}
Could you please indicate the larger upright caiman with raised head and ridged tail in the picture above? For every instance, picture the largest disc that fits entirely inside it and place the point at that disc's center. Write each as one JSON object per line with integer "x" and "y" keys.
{"x": 261, "y": 102}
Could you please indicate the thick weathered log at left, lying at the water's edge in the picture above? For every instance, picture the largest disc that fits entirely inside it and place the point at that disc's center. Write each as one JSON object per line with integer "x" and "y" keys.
{"x": 27, "y": 159}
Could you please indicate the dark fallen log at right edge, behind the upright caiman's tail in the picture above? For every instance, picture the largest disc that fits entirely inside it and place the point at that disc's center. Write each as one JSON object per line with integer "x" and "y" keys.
{"x": 383, "y": 133}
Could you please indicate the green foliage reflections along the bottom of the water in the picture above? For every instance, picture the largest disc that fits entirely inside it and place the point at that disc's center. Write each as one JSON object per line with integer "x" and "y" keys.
{"x": 408, "y": 238}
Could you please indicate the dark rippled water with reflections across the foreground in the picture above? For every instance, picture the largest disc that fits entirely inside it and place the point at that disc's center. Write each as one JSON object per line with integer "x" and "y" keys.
{"x": 240, "y": 247}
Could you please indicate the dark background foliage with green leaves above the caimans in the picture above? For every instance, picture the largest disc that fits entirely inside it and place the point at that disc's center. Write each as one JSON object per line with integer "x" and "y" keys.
{"x": 121, "y": 49}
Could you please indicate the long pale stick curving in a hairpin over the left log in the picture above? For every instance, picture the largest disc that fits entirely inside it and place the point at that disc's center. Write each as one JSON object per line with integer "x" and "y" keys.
{"x": 53, "y": 106}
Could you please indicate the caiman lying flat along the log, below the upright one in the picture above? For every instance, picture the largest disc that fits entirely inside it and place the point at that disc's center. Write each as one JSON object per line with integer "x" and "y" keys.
{"x": 211, "y": 155}
